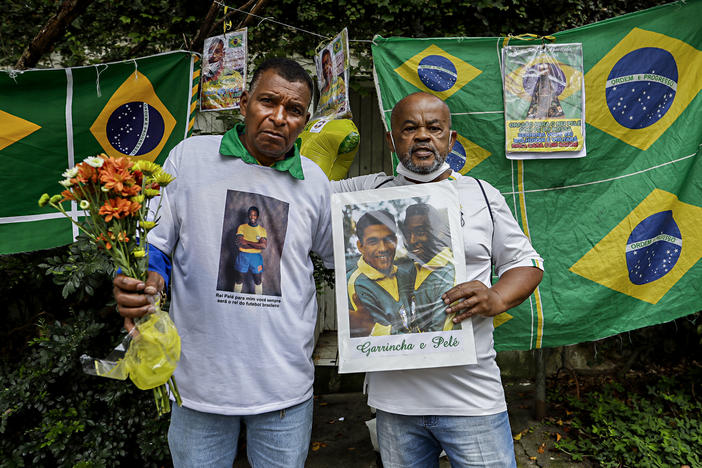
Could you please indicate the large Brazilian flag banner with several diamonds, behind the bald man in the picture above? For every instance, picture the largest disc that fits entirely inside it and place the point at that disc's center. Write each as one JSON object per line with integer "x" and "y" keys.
{"x": 620, "y": 230}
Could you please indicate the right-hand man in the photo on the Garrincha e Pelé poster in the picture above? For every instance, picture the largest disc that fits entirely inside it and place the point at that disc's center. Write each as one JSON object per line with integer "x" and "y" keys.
{"x": 428, "y": 243}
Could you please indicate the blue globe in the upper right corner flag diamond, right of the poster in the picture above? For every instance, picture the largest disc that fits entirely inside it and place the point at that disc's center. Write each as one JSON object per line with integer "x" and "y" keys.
{"x": 641, "y": 87}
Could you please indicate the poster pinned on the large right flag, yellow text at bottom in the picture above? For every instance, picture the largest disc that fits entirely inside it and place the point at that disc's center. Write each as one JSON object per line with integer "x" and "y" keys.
{"x": 544, "y": 100}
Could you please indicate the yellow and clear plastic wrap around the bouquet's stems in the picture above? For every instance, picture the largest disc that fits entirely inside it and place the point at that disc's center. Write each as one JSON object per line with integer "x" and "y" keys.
{"x": 149, "y": 354}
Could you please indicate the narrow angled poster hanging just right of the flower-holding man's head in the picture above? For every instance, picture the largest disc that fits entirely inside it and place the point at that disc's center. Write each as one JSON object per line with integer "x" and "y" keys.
{"x": 332, "y": 64}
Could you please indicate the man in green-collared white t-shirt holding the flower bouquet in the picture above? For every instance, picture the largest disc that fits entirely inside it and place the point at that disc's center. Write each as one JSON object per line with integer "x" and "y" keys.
{"x": 246, "y": 360}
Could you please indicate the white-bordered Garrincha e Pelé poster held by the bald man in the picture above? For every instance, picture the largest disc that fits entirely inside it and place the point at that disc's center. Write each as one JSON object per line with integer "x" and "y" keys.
{"x": 396, "y": 251}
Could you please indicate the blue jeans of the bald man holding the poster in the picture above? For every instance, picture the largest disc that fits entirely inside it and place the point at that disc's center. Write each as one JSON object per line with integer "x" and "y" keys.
{"x": 469, "y": 441}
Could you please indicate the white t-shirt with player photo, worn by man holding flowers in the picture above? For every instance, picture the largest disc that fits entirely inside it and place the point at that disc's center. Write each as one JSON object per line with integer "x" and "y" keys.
{"x": 256, "y": 357}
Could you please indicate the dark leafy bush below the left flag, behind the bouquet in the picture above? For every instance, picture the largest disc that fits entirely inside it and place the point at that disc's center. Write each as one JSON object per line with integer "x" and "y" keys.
{"x": 51, "y": 413}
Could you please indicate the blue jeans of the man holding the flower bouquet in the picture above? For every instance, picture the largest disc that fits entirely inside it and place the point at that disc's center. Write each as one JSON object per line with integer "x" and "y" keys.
{"x": 275, "y": 439}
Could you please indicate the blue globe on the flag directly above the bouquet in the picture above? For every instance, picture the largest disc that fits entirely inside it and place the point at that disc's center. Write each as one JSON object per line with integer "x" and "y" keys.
{"x": 135, "y": 128}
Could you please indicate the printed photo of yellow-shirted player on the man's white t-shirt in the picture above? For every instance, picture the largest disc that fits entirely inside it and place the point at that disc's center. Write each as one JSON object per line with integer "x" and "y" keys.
{"x": 253, "y": 236}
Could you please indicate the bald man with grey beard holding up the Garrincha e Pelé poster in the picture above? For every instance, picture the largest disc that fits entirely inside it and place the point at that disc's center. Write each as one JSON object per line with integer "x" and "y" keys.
{"x": 459, "y": 409}
